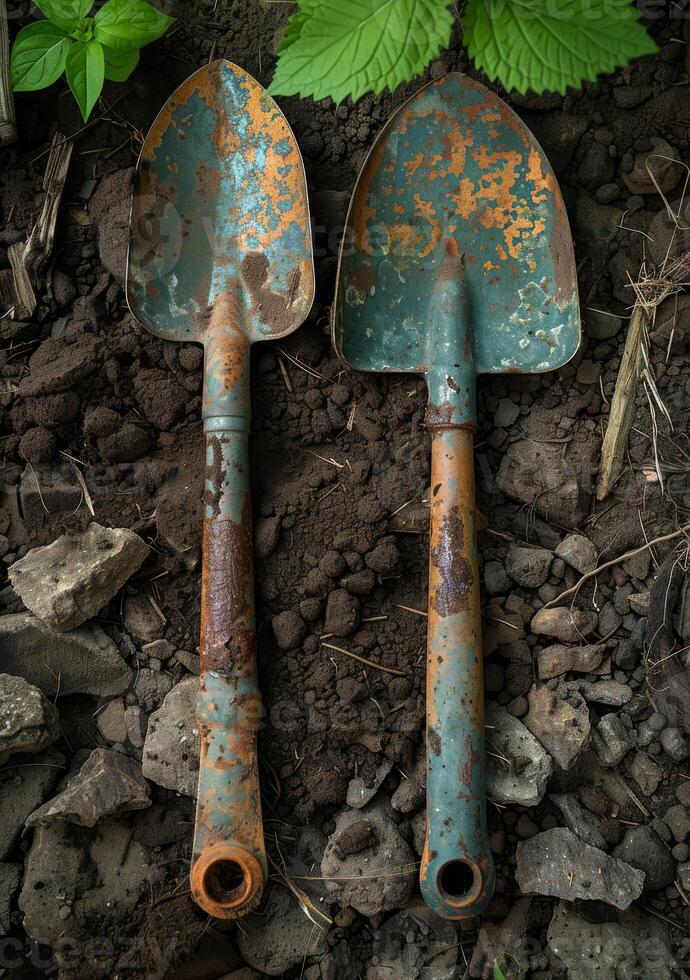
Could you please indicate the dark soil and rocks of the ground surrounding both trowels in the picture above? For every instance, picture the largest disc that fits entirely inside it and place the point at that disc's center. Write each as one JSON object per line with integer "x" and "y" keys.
{"x": 100, "y": 484}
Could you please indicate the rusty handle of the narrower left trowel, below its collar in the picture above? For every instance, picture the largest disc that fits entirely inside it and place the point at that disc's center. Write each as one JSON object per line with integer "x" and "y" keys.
{"x": 229, "y": 861}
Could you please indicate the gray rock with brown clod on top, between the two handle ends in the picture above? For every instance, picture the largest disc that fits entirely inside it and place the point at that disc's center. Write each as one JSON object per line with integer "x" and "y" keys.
{"x": 365, "y": 844}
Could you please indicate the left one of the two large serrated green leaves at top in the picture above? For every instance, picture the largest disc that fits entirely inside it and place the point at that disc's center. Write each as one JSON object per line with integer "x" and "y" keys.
{"x": 356, "y": 46}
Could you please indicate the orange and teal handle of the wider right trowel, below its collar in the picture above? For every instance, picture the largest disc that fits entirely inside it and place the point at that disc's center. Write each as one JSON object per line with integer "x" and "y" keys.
{"x": 457, "y": 872}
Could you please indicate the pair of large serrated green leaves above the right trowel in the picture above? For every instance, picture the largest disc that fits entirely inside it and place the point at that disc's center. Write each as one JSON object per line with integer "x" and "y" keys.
{"x": 352, "y": 47}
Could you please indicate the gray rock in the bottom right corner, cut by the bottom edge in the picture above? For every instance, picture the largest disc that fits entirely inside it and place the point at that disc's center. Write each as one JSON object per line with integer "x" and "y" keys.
{"x": 635, "y": 946}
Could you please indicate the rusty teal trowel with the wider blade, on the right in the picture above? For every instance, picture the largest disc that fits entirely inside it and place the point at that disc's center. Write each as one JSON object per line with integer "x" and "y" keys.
{"x": 457, "y": 260}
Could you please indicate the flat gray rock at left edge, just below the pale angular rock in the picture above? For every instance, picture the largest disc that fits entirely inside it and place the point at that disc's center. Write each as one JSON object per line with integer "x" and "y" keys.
{"x": 84, "y": 661}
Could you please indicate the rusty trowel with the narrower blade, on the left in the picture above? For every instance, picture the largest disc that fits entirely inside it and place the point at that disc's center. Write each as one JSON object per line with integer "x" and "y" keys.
{"x": 220, "y": 254}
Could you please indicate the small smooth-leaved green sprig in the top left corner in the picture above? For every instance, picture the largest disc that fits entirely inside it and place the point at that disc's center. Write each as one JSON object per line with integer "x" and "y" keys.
{"x": 88, "y": 50}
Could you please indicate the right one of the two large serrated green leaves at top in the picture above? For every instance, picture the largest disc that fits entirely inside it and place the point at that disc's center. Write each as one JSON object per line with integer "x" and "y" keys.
{"x": 531, "y": 45}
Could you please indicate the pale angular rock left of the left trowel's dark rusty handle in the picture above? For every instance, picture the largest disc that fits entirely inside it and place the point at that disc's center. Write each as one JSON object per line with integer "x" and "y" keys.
{"x": 69, "y": 581}
